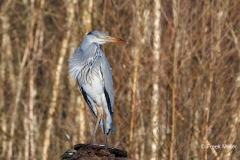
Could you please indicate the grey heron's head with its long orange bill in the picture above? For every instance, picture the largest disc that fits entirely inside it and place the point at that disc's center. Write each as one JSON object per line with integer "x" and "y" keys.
{"x": 101, "y": 38}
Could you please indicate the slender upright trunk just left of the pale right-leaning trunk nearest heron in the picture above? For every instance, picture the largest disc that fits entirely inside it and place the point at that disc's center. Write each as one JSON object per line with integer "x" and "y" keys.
{"x": 35, "y": 56}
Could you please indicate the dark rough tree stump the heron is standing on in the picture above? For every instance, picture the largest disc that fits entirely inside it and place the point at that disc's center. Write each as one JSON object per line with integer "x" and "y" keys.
{"x": 94, "y": 152}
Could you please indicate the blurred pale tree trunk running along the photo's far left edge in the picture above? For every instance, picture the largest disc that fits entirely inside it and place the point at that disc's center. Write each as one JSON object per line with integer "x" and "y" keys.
{"x": 6, "y": 67}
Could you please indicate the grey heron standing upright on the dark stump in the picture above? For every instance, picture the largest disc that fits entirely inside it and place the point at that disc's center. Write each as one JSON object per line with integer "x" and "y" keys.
{"x": 91, "y": 69}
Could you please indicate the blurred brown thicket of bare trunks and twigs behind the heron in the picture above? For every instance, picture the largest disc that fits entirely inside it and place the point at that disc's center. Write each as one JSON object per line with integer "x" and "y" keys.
{"x": 177, "y": 84}
